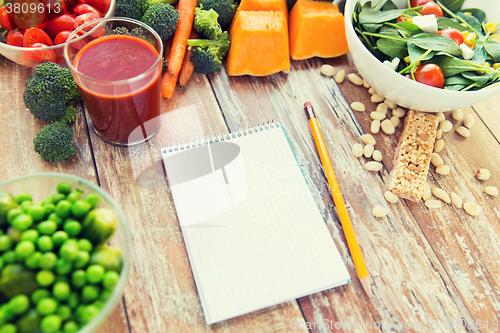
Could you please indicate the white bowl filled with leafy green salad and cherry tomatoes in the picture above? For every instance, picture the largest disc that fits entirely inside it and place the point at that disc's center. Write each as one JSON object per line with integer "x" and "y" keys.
{"x": 432, "y": 55}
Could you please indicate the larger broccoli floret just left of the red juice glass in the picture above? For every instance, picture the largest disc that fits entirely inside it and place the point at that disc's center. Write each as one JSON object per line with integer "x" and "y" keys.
{"x": 51, "y": 92}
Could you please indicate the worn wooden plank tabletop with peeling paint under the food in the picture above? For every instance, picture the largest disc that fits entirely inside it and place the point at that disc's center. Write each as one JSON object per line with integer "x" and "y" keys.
{"x": 430, "y": 269}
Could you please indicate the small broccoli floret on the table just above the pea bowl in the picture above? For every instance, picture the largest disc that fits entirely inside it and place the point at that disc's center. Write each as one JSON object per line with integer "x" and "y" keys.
{"x": 54, "y": 142}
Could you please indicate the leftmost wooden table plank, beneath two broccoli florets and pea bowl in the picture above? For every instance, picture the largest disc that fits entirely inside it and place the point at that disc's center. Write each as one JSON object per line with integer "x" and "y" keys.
{"x": 17, "y": 157}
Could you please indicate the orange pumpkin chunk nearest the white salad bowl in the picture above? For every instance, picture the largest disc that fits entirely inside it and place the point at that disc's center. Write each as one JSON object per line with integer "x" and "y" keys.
{"x": 316, "y": 30}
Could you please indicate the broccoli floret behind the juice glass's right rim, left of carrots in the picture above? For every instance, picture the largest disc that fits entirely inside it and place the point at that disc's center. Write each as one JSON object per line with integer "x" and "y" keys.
{"x": 162, "y": 18}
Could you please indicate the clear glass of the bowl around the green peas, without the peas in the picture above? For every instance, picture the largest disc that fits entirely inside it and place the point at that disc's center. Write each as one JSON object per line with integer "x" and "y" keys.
{"x": 40, "y": 185}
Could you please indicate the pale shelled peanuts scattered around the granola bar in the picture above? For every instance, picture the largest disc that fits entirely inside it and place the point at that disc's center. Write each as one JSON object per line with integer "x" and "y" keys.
{"x": 382, "y": 121}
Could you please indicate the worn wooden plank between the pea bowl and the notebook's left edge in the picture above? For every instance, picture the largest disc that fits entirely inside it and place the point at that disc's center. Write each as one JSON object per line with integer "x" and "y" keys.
{"x": 161, "y": 294}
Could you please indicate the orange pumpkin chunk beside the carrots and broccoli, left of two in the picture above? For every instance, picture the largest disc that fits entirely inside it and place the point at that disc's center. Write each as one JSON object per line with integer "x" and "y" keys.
{"x": 259, "y": 44}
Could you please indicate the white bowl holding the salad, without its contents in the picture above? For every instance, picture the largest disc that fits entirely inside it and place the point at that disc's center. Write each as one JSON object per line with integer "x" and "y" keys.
{"x": 406, "y": 92}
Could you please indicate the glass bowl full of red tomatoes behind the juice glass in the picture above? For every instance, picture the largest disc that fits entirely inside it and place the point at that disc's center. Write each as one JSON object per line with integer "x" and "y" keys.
{"x": 34, "y": 31}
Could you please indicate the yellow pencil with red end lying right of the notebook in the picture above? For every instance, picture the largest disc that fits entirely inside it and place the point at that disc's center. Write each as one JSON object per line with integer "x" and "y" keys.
{"x": 352, "y": 242}
